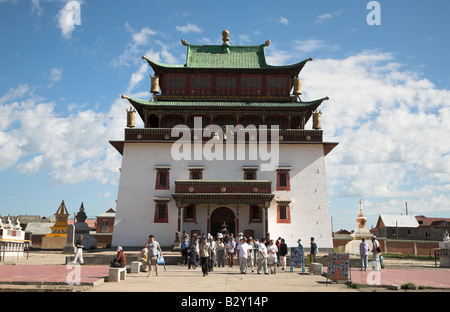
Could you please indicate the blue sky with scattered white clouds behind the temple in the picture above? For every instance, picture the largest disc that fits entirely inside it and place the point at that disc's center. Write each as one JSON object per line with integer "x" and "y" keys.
{"x": 388, "y": 85}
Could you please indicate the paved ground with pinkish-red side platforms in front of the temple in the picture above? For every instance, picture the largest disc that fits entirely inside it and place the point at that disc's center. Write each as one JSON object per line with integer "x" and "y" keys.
{"x": 46, "y": 270}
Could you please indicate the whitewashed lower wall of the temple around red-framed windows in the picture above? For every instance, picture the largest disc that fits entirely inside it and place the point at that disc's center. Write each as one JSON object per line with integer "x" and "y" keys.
{"x": 309, "y": 207}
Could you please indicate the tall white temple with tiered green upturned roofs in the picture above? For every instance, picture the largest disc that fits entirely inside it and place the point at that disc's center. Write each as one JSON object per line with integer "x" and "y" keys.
{"x": 223, "y": 143}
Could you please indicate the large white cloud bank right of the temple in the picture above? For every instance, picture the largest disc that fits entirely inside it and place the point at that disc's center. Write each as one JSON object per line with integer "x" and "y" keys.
{"x": 390, "y": 124}
